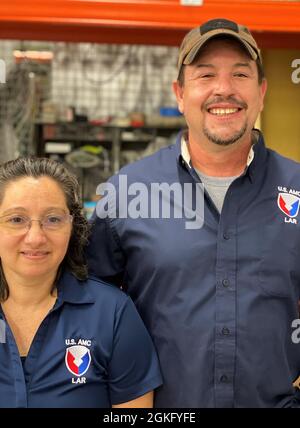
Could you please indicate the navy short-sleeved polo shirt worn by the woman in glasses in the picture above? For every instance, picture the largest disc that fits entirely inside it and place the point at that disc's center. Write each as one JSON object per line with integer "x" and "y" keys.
{"x": 91, "y": 350}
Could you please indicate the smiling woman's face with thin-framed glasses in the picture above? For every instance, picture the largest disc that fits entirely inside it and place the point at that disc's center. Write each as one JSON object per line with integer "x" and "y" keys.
{"x": 31, "y": 249}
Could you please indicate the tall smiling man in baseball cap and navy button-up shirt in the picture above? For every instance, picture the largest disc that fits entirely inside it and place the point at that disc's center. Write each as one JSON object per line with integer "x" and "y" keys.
{"x": 219, "y": 297}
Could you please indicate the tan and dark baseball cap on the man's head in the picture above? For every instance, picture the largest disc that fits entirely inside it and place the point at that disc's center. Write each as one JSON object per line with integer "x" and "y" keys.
{"x": 197, "y": 37}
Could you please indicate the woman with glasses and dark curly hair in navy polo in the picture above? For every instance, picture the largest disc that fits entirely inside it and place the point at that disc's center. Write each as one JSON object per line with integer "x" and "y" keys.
{"x": 68, "y": 341}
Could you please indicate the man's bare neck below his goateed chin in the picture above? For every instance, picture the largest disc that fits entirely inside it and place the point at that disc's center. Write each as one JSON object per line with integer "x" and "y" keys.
{"x": 220, "y": 161}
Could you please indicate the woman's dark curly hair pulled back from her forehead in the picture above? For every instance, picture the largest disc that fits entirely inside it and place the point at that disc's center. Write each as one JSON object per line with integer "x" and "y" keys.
{"x": 22, "y": 167}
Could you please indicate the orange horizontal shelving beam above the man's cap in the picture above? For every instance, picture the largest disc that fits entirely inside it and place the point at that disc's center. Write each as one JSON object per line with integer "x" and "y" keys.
{"x": 275, "y": 23}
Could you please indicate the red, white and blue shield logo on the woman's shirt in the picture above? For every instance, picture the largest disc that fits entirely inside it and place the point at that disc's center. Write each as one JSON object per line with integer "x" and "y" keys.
{"x": 78, "y": 359}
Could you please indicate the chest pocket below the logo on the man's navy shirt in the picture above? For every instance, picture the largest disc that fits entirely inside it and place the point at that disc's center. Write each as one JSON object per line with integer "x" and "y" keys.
{"x": 279, "y": 267}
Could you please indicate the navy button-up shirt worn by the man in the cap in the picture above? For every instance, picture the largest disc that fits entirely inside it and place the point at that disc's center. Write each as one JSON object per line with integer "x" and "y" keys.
{"x": 220, "y": 300}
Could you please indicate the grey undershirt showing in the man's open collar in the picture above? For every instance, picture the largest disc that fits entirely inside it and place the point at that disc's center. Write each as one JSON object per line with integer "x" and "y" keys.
{"x": 216, "y": 187}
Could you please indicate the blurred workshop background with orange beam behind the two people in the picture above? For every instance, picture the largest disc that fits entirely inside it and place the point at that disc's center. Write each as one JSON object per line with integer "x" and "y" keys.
{"x": 89, "y": 82}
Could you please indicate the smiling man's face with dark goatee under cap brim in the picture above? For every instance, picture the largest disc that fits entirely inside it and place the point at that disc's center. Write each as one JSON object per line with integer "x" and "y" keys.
{"x": 221, "y": 97}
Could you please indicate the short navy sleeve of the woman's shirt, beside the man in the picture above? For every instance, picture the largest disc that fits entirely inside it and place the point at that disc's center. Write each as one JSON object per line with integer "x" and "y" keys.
{"x": 134, "y": 367}
